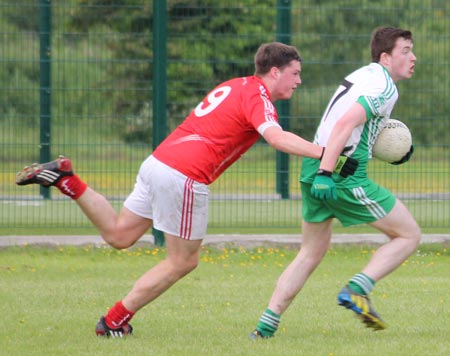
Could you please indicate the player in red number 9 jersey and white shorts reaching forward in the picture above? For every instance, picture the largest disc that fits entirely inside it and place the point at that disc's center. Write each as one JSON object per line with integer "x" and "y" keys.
{"x": 171, "y": 191}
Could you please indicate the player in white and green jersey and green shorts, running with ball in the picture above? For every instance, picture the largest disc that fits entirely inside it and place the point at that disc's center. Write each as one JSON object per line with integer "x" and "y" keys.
{"x": 353, "y": 117}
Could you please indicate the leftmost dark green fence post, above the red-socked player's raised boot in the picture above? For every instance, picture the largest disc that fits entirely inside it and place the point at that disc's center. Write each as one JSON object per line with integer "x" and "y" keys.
{"x": 45, "y": 85}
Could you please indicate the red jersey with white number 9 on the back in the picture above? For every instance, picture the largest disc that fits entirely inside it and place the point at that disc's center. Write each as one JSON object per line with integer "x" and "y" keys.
{"x": 219, "y": 130}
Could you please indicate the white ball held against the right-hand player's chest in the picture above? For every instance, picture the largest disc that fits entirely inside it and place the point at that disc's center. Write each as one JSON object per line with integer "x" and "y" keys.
{"x": 393, "y": 142}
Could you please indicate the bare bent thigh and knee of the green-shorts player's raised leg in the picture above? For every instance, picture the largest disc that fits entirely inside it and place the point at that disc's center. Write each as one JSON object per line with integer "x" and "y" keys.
{"x": 399, "y": 222}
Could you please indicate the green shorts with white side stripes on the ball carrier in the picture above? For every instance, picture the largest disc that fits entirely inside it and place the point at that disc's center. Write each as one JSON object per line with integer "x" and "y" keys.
{"x": 361, "y": 205}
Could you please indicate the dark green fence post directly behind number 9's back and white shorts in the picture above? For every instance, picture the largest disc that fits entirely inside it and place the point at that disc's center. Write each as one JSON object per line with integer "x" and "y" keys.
{"x": 159, "y": 83}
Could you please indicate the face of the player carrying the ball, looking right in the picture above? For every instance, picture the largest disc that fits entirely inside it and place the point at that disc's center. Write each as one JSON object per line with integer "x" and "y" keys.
{"x": 402, "y": 60}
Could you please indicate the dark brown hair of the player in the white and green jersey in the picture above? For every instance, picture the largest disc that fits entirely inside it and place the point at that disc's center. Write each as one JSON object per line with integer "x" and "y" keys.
{"x": 384, "y": 39}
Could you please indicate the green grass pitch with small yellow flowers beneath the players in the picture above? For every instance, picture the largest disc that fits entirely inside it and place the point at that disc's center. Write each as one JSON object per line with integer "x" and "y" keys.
{"x": 52, "y": 298}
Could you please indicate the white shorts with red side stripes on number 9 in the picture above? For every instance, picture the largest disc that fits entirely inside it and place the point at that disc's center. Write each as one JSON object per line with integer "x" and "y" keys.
{"x": 177, "y": 204}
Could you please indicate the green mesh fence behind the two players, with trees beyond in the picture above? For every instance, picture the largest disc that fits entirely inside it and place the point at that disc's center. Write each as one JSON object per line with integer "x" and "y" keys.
{"x": 77, "y": 79}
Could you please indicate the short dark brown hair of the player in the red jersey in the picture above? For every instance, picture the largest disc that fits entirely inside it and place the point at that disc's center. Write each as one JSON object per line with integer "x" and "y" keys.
{"x": 274, "y": 54}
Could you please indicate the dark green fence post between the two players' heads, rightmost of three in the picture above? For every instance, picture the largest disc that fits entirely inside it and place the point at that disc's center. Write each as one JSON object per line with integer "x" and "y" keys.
{"x": 282, "y": 159}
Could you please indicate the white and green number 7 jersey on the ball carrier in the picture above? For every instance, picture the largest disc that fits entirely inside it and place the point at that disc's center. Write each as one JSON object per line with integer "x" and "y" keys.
{"x": 372, "y": 87}
